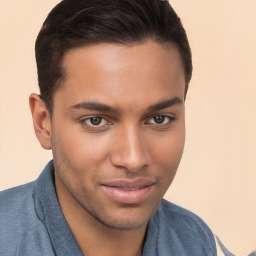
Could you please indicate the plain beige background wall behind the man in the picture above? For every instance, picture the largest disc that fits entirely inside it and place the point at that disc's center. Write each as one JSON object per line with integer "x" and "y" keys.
{"x": 217, "y": 175}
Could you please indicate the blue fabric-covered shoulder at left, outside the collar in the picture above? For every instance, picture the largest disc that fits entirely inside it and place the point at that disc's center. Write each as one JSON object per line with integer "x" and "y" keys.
{"x": 19, "y": 221}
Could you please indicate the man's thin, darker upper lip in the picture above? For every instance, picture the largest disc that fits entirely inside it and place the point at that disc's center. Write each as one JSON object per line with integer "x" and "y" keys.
{"x": 125, "y": 183}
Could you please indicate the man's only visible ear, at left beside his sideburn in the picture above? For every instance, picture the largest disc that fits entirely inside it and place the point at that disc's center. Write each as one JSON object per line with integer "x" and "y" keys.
{"x": 41, "y": 120}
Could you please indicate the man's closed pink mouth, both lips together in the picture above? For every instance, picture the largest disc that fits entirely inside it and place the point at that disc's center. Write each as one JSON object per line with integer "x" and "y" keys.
{"x": 128, "y": 192}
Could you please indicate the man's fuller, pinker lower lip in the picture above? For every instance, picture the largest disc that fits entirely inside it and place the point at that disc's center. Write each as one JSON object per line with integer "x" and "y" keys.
{"x": 127, "y": 196}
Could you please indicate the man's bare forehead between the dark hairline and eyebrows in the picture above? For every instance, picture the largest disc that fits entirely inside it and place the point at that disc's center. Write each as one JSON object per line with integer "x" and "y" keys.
{"x": 107, "y": 72}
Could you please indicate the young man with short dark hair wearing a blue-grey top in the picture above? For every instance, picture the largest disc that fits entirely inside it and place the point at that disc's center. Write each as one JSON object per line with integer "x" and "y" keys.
{"x": 113, "y": 78}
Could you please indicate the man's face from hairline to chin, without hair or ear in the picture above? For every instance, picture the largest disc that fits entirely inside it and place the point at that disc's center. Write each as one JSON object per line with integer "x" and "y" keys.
{"x": 118, "y": 129}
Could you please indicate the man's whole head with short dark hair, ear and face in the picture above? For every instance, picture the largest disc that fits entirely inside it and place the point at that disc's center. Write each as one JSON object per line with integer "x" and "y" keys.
{"x": 113, "y": 77}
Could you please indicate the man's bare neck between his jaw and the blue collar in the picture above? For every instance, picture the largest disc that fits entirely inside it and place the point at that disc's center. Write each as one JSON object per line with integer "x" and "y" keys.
{"x": 93, "y": 237}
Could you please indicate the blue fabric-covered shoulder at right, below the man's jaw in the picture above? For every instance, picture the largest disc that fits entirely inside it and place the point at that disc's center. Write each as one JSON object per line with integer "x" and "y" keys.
{"x": 189, "y": 231}
